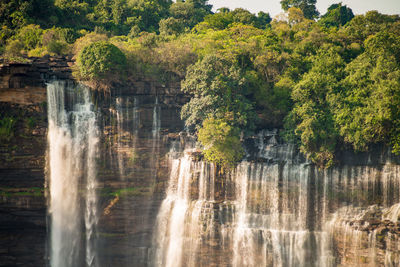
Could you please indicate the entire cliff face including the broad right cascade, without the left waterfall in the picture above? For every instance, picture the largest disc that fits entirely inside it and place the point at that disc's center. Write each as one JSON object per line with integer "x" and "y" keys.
{"x": 274, "y": 202}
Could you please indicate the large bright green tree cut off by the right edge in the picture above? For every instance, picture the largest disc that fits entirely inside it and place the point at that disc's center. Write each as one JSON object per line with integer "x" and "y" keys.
{"x": 368, "y": 108}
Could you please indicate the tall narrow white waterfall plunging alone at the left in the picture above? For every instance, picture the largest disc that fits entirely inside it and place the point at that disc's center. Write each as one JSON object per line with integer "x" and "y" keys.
{"x": 72, "y": 143}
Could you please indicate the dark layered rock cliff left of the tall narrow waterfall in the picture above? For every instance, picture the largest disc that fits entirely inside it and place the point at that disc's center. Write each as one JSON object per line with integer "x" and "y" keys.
{"x": 22, "y": 160}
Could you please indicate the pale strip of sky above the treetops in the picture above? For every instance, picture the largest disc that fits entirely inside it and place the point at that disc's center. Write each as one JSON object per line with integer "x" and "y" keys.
{"x": 273, "y": 7}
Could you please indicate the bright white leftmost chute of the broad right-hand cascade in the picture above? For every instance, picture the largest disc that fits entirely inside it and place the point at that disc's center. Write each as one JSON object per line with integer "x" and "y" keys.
{"x": 185, "y": 216}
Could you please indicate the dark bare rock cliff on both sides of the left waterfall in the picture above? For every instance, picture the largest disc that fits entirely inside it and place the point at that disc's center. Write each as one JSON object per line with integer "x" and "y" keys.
{"x": 137, "y": 123}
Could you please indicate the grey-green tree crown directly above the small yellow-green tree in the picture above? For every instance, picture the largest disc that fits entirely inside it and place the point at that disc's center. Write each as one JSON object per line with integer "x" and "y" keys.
{"x": 218, "y": 89}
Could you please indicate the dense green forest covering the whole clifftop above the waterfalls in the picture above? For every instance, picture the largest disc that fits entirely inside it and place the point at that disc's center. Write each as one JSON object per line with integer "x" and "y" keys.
{"x": 328, "y": 82}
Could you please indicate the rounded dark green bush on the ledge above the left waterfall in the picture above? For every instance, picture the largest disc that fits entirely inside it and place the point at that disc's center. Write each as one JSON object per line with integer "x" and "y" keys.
{"x": 100, "y": 59}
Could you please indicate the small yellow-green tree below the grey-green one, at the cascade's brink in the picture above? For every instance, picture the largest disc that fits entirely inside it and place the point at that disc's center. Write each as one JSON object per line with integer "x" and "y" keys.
{"x": 221, "y": 142}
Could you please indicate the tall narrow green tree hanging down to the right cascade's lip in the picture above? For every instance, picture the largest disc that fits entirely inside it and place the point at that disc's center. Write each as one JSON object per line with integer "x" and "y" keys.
{"x": 313, "y": 106}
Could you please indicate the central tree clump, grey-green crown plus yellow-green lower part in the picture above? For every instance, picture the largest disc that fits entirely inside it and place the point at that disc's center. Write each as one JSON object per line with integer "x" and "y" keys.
{"x": 219, "y": 108}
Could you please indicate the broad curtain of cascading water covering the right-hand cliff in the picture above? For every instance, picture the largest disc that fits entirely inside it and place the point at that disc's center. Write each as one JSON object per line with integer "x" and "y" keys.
{"x": 279, "y": 211}
